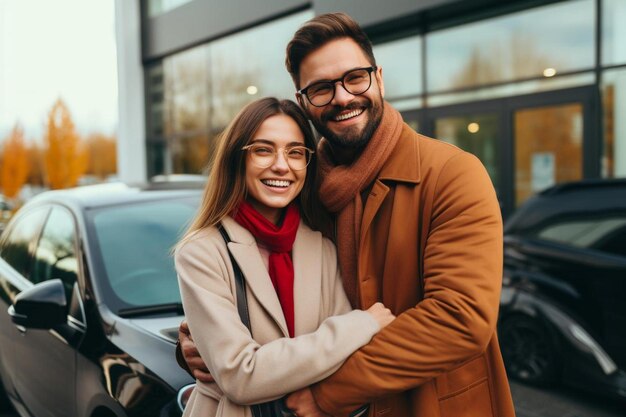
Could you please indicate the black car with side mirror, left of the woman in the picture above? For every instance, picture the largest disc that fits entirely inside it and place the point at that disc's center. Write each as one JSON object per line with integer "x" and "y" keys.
{"x": 89, "y": 302}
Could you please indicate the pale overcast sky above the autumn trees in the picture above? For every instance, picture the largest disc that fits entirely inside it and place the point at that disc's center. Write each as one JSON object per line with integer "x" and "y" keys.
{"x": 58, "y": 48}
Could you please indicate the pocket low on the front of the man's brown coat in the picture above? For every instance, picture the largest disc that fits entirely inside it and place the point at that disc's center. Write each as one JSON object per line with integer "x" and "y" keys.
{"x": 465, "y": 391}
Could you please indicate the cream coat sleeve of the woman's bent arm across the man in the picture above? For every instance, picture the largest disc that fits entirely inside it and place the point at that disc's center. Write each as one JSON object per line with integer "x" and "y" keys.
{"x": 246, "y": 371}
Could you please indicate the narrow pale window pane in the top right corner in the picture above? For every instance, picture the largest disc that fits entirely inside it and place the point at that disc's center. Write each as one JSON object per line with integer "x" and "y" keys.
{"x": 613, "y": 32}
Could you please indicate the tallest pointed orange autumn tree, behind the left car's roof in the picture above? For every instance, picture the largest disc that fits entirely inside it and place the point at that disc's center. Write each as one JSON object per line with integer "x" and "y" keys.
{"x": 64, "y": 156}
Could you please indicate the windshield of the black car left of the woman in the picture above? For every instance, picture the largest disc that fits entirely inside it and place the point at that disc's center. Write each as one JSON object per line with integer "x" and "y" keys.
{"x": 135, "y": 243}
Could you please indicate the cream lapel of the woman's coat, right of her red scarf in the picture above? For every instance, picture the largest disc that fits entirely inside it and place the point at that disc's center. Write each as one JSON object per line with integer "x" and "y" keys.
{"x": 307, "y": 288}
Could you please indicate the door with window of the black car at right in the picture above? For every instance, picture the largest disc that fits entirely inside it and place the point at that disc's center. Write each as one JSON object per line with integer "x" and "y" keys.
{"x": 593, "y": 259}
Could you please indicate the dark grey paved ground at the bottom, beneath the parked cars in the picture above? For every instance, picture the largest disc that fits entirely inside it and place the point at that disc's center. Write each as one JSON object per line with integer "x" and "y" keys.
{"x": 532, "y": 402}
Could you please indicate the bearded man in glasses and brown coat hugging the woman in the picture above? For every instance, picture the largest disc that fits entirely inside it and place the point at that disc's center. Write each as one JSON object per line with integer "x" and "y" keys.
{"x": 418, "y": 228}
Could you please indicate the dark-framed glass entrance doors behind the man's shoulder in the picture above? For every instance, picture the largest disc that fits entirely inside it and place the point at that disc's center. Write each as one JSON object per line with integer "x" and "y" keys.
{"x": 527, "y": 143}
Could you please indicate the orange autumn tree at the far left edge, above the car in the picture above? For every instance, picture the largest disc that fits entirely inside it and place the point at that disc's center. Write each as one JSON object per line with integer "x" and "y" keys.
{"x": 15, "y": 167}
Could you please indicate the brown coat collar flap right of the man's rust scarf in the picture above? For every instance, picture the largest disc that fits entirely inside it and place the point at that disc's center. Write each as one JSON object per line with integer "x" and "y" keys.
{"x": 403, "y": 164}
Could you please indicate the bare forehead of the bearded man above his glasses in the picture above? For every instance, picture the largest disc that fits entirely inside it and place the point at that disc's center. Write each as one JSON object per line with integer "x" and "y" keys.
{"x": 332, "y": 60}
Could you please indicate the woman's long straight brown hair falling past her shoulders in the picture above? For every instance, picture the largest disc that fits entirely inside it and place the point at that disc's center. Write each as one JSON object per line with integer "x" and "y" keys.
{"x": 226, "y": 188}
